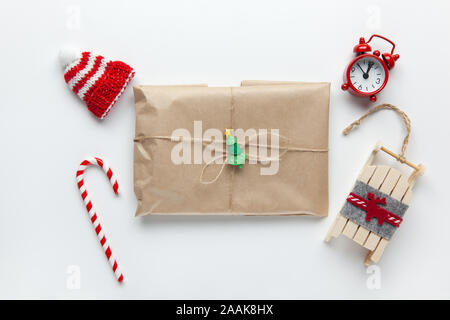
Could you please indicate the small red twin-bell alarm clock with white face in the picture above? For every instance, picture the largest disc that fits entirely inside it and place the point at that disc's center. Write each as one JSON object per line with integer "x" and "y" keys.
{"x": 368, "y": 73}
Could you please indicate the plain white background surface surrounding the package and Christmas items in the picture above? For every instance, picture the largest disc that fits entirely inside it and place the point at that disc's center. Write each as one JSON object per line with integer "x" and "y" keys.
{"x": 45, "y": 131}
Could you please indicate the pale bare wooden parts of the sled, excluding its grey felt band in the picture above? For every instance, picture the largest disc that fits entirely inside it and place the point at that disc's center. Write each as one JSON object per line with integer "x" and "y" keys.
{"x": 387, "y": 180}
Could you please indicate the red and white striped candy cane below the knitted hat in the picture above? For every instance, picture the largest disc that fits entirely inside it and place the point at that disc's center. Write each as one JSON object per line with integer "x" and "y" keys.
{"x": 92, "y": 212}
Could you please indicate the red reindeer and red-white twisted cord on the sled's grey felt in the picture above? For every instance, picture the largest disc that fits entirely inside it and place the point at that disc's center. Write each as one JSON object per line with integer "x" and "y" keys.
{"x": 373, "y": 210}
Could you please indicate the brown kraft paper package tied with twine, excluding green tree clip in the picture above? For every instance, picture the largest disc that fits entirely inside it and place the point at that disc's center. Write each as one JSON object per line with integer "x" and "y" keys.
{"x": 179, "y": 160}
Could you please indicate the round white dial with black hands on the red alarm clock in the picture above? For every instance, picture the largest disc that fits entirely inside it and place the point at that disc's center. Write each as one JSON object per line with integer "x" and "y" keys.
{"x": 367, "y": 75}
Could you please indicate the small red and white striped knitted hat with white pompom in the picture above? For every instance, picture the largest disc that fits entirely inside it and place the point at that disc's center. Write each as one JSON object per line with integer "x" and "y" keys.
{"x": 99, "y": 82}
